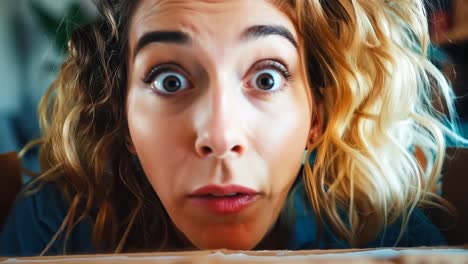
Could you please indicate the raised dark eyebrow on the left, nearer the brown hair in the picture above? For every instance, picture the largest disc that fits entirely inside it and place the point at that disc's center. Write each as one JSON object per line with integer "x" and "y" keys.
{"x": 162, "y": 36}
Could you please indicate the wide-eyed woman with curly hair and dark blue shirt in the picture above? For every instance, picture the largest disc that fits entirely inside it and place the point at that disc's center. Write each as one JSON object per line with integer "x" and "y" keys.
{"x": 182, "y": 125}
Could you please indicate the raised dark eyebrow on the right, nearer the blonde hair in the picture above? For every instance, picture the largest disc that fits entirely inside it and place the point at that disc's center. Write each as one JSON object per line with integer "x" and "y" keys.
{"x": 259, "y": 31}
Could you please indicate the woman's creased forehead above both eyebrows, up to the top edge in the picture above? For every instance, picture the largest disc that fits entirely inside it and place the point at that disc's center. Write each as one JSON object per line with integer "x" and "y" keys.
{"x": 224, "y": 19}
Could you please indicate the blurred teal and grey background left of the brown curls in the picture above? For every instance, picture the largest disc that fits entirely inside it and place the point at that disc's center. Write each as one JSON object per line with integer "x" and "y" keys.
{"x": 33, "y": 39}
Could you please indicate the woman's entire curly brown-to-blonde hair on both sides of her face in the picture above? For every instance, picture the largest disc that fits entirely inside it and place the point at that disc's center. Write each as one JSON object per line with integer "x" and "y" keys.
{"x": 369, "y": 72}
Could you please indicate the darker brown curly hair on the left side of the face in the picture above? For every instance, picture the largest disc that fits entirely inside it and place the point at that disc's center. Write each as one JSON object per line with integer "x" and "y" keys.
{"x": 83, "y": 145}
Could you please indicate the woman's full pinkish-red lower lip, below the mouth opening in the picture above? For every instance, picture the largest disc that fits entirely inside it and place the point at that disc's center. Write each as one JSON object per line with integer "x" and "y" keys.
{"x": 225, "y": 204}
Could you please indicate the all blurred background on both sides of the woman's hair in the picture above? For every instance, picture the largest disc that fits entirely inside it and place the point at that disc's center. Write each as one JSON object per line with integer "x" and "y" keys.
{"x": 33, "y": 37}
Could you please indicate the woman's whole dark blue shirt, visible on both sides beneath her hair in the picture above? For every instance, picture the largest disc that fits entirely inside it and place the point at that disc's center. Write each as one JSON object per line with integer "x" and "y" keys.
{"x": 36, "y": 218}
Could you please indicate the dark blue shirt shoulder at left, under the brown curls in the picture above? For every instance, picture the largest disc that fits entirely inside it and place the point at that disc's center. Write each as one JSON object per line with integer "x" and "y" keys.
{"x": 34, "y": 221}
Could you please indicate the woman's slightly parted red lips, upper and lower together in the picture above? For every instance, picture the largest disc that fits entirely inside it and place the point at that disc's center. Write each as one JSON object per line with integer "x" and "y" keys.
{"x": 228, "y": 199}
